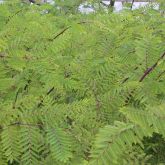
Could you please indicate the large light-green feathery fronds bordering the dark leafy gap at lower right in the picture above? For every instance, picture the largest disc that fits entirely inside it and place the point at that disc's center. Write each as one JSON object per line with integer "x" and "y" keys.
{"x": 112, "y": 141}
